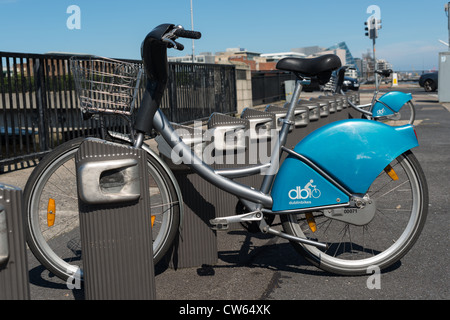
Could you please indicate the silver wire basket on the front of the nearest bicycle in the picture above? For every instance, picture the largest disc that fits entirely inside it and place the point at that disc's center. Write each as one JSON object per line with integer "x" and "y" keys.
{"x": 105, "y": 85}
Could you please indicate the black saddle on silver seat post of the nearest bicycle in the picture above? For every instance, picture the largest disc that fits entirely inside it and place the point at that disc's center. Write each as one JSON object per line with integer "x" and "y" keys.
{"x": 320, "y": 67}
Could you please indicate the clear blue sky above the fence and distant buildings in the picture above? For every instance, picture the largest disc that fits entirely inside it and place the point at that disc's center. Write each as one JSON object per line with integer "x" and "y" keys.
{"x": 408, "y": 38}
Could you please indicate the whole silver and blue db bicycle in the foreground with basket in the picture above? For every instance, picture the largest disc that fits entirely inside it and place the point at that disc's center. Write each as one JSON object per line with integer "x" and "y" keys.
{"x": 351, "y": 195}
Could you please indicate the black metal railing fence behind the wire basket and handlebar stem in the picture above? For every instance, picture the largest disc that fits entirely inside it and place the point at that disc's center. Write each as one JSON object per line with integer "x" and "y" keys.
{"x": 39, "y": 108}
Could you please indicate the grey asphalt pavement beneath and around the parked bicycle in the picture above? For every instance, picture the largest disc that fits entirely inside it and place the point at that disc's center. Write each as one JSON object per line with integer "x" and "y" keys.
{"x": 262, "y": 267}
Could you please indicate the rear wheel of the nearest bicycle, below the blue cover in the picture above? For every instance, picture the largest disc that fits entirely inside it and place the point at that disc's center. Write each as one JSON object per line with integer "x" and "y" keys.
{"x": 401, "y": 199}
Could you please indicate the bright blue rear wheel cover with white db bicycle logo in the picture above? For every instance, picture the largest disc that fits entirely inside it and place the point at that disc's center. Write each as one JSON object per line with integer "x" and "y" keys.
{"x": 353, "y": 152}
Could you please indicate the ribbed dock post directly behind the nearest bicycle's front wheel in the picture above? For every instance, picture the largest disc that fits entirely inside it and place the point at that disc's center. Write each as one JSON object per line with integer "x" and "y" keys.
{"x": 197, "y": 210}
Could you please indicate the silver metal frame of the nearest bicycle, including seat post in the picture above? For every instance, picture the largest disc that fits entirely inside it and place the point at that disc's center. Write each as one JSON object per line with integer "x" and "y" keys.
{"x": 255, "y": 200}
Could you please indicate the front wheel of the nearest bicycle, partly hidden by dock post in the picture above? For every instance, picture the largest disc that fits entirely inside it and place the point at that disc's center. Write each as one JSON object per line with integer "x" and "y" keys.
{"x": 49, "y": 247}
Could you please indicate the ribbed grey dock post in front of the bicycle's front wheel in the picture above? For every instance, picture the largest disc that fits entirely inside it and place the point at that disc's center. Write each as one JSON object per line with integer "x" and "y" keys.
{"x": 116, "y": 230}
